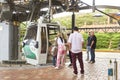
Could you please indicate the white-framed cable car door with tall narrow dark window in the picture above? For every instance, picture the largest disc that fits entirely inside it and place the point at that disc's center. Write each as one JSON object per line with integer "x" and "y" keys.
{"x": 42, "y": 38}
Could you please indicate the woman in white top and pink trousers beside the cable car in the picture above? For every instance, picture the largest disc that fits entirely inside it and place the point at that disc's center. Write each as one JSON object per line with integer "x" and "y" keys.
{"x": 61, "y": 51}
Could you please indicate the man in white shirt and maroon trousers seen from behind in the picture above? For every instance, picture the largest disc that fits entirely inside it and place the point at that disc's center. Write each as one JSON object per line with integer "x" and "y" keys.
{"x": 76, "y": 42}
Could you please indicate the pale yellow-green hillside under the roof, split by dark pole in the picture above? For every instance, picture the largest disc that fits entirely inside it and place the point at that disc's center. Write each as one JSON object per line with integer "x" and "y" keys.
{"x": 82, "y": 19}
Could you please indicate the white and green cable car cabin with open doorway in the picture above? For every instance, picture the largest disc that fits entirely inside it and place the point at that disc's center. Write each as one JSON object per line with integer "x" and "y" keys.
{"x": 36, "y": 42}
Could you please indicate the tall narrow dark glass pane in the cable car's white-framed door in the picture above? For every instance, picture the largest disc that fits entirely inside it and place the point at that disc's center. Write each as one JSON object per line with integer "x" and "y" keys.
{"x": 43, "y": 40}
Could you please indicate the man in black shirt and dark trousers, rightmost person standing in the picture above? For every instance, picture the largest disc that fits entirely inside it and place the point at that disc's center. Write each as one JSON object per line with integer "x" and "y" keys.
{"x": 93, "y": 42}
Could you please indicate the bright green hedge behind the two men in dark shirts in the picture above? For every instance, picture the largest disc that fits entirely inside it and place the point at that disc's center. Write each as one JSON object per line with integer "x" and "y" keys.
{"x": 106, "y": 40}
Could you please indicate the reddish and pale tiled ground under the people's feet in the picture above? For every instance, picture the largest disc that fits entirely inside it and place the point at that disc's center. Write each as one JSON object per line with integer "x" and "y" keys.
{"x": 97, "y": 71}
